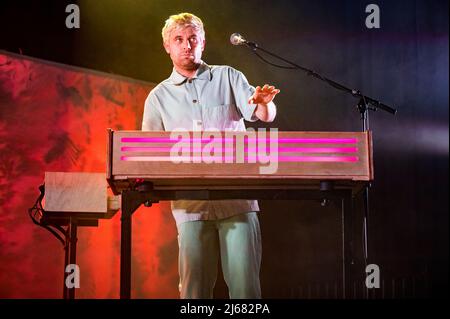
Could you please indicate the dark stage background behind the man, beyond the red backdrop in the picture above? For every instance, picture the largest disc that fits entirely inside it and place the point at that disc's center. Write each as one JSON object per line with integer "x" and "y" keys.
{"x": 404, "y": 64}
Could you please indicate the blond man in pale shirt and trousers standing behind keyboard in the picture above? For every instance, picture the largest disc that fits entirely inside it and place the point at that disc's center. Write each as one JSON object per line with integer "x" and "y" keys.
{"x": 217, "y": 97}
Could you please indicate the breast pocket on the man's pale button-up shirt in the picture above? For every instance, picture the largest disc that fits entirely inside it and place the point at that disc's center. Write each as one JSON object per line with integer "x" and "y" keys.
{"x": 221, "y": 117}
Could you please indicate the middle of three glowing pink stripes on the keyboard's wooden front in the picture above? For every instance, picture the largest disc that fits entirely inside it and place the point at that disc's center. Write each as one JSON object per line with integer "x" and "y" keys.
{"x": 246, "y": 149}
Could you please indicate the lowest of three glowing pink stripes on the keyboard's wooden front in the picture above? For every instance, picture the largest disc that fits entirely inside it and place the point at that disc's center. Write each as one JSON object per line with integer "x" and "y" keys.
{"x": 232, "y": 159}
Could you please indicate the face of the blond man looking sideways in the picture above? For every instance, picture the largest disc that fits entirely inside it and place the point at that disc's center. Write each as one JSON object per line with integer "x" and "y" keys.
{"x": 185, "y": 47}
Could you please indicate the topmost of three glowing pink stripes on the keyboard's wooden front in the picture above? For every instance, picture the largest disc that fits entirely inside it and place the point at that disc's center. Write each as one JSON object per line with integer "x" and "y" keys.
{"x": 221, "y": 140}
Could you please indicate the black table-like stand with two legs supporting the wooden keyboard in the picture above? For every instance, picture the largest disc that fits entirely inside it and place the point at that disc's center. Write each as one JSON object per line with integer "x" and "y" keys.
{"x": 132, "y": 199}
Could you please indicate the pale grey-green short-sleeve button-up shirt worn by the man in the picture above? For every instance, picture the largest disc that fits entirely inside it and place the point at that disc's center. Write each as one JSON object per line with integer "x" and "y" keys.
{"x": 216, "y": 98}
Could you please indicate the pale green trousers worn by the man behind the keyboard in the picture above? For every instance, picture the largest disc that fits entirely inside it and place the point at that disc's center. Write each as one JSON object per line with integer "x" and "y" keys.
{"x": 236, "y": 240}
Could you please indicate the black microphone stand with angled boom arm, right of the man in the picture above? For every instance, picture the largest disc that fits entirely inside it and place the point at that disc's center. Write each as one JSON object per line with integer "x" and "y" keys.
{"x": 365, "y": 104}
